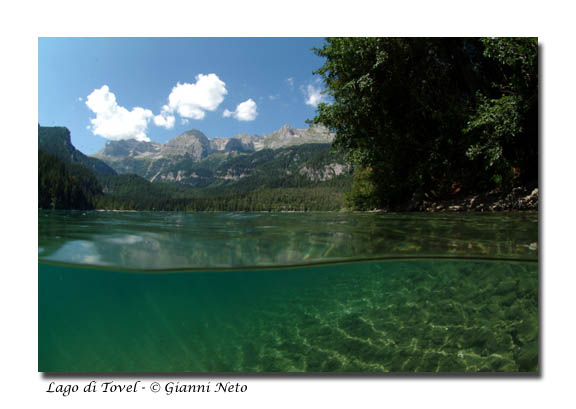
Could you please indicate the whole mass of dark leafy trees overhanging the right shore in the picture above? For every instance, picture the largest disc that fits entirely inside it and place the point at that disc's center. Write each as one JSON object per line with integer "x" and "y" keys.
{"x": 426, "y": 114}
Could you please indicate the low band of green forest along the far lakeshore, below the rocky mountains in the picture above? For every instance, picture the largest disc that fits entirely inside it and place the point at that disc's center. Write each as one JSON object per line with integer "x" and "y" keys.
{"x": 73, "y": 186}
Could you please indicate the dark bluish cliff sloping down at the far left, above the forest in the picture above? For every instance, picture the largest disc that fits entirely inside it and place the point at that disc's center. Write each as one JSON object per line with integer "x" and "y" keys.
{"x": 56, "y": 141}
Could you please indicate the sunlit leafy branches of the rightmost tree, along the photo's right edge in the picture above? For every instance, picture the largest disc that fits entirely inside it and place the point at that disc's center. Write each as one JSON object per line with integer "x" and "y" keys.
{"x": 504, "y": 127}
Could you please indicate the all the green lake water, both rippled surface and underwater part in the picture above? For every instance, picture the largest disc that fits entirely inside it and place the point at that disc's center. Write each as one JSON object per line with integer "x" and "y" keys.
{"x": 169, "y": 292}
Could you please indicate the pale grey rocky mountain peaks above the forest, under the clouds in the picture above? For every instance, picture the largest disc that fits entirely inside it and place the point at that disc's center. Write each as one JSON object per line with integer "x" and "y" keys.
{"x": 193, "y": 159}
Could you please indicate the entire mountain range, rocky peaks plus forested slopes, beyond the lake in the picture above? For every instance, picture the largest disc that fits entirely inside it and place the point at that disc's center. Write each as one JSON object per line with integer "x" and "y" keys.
{"x": 290, "y": 169}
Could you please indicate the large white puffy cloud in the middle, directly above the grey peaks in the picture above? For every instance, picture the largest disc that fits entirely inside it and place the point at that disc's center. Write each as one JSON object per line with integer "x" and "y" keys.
{"x": 193, "y": 100}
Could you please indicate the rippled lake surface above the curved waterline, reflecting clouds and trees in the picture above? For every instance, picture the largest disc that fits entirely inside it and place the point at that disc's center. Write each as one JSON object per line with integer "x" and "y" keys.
{"x": 165, "y": 240}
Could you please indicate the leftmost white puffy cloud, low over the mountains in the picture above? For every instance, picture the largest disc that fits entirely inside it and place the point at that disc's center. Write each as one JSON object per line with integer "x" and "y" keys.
{"x": 115, "y": 122}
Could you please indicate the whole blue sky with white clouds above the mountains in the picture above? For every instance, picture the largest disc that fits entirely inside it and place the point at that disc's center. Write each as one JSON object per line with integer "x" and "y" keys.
{"x": 155, "y": 88}
